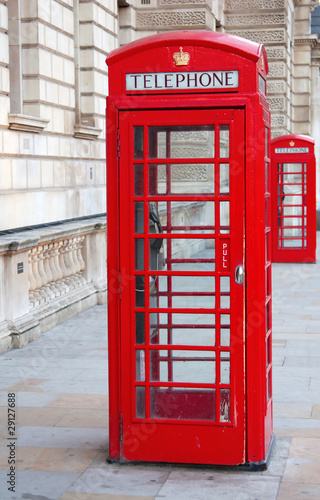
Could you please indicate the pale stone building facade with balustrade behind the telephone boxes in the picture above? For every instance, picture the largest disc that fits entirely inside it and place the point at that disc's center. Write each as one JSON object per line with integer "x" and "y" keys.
{"x": 53, "y": 83}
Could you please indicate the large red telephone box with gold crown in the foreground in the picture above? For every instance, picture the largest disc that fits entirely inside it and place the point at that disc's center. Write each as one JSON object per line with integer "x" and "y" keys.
{"x": 189, "y": 250}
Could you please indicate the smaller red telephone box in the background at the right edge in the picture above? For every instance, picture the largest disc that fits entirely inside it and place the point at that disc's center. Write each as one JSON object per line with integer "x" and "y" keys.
{"x": 293, "y": 190}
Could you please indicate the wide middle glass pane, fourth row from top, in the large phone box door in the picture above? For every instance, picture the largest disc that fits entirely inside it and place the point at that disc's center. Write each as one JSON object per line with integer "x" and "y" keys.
{"x": 183, "y": 254}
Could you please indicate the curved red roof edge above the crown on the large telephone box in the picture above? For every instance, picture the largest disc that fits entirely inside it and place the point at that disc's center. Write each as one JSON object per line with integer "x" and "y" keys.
{"x": 213, "y": 40}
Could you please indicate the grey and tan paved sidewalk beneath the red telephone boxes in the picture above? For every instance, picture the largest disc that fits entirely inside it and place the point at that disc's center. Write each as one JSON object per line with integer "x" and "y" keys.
{"x": 60, "y": 387}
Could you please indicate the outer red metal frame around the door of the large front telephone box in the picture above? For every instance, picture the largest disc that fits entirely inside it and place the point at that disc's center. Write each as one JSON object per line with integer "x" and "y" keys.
{"x": 250, "y": 60}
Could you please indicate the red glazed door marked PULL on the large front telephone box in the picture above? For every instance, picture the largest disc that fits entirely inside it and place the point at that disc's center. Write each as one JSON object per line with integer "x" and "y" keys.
{"x": 182, "y": 347}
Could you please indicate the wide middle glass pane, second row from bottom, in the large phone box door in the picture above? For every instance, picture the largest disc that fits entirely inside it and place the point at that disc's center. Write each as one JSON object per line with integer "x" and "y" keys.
{"x": 183, "y": 366}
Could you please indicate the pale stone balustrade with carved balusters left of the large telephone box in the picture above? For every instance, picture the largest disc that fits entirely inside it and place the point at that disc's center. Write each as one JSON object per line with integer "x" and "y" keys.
{"x": 47, "y": 275}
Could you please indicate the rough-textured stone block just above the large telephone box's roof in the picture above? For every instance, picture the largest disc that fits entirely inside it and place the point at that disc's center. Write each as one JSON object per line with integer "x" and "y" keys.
{"x": 174, "y": 19}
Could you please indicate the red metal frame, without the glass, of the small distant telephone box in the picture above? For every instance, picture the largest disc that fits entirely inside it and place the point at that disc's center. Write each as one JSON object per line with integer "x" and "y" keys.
{"x": 307, "y": 252}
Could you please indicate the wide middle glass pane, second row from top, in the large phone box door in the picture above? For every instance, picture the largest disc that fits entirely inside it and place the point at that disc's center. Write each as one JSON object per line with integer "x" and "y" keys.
{"x": 181, "y": 179}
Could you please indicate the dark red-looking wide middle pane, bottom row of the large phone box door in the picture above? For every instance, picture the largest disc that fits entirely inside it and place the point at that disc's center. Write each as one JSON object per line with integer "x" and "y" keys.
{"x": 182, "y": 403}
